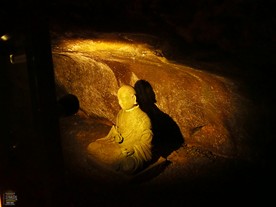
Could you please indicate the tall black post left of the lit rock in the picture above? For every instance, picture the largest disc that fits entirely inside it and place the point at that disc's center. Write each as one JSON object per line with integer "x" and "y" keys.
{"x": 48, "y": 166}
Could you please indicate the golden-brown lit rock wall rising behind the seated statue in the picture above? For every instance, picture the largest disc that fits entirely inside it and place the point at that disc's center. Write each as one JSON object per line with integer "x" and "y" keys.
{"x": 206, "y": 107}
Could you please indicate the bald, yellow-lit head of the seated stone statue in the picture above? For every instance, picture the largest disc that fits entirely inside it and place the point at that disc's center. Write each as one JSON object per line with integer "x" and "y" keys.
{"x": 126, "y": 97}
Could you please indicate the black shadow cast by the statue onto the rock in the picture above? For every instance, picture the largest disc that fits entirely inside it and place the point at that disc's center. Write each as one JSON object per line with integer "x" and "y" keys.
{"x": 167, "y": 135}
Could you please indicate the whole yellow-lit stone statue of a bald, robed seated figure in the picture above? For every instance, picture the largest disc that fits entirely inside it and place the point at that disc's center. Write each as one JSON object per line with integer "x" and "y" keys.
{"x": 127, "y": 148}
